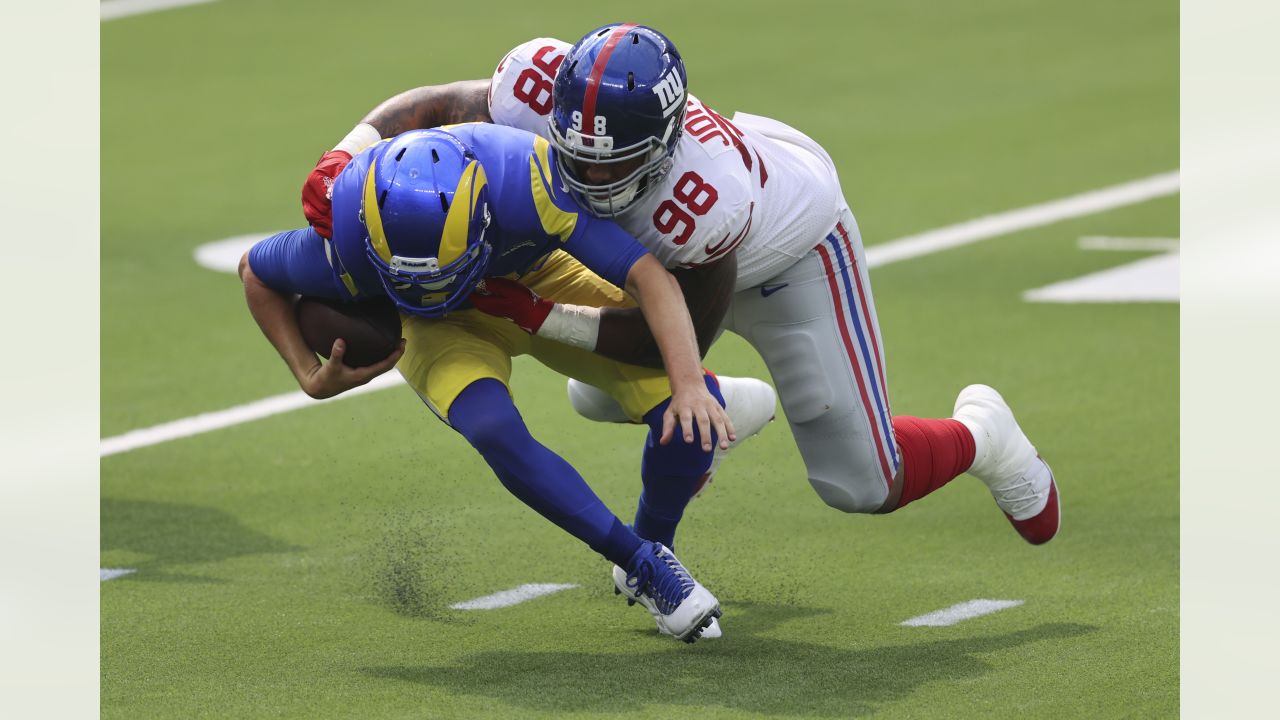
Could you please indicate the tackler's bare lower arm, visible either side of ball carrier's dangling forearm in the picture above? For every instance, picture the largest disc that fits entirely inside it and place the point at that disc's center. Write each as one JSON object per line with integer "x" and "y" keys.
{"x": 708, "y": 291}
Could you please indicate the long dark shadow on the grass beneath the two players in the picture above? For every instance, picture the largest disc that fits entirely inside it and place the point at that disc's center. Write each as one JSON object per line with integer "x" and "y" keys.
{"x": 747, "y": 672}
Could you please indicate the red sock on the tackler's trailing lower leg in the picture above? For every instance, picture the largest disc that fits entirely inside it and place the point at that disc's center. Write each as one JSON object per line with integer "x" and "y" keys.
{"x": 934, "y": 454}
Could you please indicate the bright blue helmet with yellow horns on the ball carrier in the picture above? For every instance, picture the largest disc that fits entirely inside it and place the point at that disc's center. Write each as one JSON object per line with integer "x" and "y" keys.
{"x": 426, "y": 208}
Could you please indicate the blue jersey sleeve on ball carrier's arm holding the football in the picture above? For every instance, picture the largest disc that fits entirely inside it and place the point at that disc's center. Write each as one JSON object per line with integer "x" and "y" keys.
{"x": 299, "y": 262}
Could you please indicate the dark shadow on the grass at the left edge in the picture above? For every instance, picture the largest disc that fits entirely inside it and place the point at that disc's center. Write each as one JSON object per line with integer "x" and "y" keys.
{"x": 170, "y": 535}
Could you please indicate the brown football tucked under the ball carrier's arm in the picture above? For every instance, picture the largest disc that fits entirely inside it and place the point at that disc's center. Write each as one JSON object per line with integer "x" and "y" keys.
{"x": 372, "y": 329}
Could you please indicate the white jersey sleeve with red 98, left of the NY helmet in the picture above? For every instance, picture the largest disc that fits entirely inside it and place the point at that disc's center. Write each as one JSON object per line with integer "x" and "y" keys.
{"x": 520, "y": 92}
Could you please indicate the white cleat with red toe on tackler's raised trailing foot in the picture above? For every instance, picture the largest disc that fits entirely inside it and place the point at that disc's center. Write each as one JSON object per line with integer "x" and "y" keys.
{"x": 1008, "y": 463}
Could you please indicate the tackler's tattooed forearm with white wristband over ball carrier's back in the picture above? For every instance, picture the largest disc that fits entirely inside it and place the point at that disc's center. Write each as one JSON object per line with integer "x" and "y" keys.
{"x": 464, "y": 102}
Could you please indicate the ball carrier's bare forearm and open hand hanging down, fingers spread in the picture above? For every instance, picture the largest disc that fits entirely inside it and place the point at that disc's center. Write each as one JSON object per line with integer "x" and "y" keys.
{"x": 664, "y": 307}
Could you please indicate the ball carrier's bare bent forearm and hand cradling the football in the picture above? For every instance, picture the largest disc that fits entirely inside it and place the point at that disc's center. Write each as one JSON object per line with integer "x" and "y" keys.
{"x": 273, "y": 311}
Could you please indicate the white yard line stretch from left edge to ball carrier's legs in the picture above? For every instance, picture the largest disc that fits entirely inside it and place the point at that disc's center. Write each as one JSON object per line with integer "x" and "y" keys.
{"x": 257, "y": 411}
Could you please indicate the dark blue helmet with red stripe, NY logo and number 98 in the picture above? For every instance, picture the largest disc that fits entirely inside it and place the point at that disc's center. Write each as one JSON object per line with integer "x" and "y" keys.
{"x": 619, "y": 98}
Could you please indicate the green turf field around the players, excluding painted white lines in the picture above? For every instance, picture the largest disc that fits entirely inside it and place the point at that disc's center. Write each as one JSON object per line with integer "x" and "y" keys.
{"x": 304, "y": 566}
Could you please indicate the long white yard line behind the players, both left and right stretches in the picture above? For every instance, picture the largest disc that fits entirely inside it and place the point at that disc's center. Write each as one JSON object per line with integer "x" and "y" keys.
{"x": 893, "y": 252}
